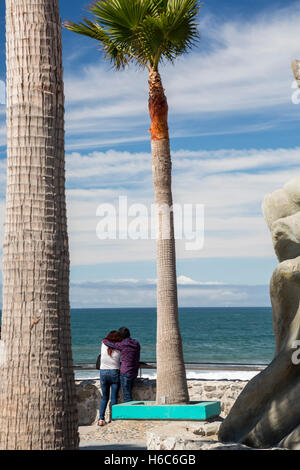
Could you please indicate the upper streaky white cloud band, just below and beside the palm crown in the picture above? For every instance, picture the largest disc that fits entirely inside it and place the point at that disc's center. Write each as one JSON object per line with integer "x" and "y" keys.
{"x": 246, "y": 68}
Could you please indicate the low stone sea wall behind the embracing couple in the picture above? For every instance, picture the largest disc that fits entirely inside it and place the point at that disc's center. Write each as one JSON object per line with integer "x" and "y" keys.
{"x": 89, "y": 395}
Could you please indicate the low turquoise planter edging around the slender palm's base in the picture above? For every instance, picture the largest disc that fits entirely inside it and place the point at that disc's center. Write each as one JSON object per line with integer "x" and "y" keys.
{"x": 195, "y": 410}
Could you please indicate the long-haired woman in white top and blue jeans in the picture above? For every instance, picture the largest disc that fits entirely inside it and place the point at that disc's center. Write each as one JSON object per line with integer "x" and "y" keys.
{"x": 109, "y": 374}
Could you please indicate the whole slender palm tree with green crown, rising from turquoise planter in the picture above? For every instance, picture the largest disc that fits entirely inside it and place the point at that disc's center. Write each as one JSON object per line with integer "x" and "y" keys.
{"x": 147, "y": 33}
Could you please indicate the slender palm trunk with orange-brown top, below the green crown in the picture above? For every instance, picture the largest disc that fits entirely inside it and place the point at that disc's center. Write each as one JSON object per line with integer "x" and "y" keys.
{"x": 171, "y": 376}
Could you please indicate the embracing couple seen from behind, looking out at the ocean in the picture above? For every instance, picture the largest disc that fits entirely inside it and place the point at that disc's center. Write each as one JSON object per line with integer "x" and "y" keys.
{"x": 120, "y": 358}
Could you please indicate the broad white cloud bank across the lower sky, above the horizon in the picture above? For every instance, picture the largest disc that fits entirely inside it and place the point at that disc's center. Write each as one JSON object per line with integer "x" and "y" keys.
{"x": 230, "y": 183}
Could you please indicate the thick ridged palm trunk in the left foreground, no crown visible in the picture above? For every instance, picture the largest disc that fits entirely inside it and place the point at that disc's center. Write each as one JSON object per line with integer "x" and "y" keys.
{"x": 37, "y": 391}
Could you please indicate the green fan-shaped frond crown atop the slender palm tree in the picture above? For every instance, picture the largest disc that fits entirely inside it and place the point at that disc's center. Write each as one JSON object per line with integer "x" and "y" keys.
{"x": 145, "y": 32}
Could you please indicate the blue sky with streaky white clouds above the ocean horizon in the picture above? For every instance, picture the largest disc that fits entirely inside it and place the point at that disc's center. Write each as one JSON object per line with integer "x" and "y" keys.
{"x": 235, "y": 137}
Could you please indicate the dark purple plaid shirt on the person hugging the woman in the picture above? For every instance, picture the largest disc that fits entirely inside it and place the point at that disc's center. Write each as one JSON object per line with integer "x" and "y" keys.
{"x": 130, "y": 355}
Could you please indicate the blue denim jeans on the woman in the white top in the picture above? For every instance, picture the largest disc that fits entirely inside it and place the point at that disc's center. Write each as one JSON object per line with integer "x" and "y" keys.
{"x": 109, "y": 383}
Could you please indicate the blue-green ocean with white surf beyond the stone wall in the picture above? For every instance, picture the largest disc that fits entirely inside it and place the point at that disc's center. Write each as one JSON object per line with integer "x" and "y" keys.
{"x": 210, "y": 335}
